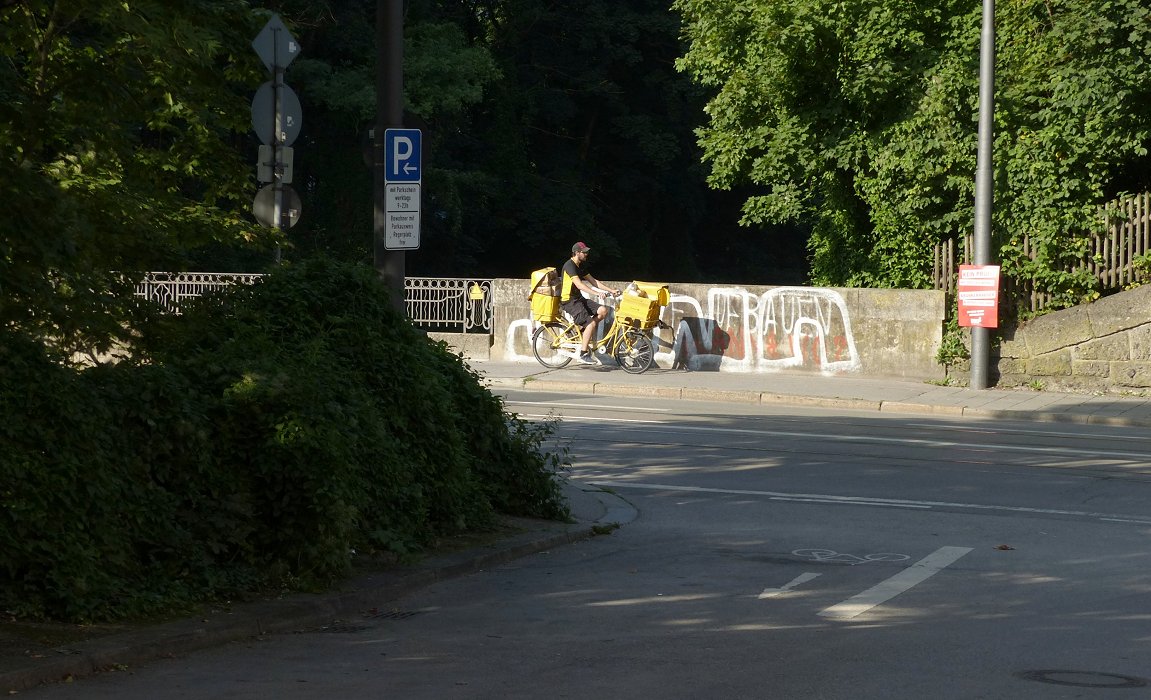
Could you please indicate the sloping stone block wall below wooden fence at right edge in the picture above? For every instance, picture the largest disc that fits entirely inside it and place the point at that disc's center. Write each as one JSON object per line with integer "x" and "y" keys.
{"x": 1103, "y": 347}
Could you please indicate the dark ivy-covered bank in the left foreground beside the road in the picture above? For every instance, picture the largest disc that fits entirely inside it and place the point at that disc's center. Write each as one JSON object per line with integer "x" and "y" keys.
{"x": 258, "y": 442}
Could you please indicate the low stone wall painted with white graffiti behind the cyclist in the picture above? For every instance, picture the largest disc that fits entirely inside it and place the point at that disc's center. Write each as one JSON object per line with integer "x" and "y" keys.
{"x": 758, "y": 329}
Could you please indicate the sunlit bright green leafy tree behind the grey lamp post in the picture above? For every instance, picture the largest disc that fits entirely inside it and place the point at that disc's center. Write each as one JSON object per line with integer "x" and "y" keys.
{"x": 860, "y": 118}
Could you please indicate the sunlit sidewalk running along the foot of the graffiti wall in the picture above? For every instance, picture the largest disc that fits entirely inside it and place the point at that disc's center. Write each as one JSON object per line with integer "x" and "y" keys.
{"x": 806, "y": 390}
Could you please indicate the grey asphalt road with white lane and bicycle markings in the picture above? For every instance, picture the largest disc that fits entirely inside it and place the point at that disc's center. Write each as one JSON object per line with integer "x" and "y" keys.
{"x": 778, "y": 554}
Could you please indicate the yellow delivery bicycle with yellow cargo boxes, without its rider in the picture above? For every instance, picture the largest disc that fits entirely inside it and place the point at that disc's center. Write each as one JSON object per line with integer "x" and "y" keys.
{"x": 629, "y": 339}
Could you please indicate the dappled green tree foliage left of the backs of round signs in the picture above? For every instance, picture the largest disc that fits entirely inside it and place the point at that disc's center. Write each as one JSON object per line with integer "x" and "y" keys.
{"x": 119, "y": 151}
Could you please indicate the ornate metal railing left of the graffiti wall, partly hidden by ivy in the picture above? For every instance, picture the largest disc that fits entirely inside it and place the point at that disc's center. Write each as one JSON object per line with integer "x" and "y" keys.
{"x": 447, "y": 305}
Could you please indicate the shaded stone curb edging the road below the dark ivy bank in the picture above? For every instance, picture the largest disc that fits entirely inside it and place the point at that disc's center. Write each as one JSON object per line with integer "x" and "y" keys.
{"x": 303, "y": 612}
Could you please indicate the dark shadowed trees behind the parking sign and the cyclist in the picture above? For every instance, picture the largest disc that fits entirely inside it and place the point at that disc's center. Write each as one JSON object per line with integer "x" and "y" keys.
{"x": 543, "y": 124}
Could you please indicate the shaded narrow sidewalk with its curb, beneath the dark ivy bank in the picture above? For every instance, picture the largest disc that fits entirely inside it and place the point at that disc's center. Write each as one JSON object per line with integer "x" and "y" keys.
{"x": 35, "y": 655}
